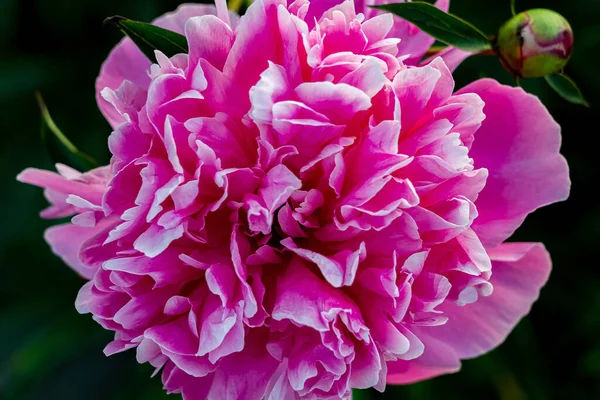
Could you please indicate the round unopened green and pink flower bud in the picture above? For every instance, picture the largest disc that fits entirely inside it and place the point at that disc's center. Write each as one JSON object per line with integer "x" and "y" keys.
{"x": 535, "y": 43}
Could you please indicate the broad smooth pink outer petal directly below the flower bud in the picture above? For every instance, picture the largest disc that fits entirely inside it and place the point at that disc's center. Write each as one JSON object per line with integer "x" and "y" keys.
{"x": 519, "y": 144}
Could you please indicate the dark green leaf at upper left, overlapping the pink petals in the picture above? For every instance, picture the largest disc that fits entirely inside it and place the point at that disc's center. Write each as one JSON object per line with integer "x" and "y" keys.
{"x": 148, "y": 37}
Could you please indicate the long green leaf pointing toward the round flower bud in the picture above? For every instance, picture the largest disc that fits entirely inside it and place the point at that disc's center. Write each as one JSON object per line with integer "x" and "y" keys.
{"x": 444, "y": 27}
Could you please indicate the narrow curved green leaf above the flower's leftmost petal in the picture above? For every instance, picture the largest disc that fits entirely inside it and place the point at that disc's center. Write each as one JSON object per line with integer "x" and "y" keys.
{"x": 61, "y": 149}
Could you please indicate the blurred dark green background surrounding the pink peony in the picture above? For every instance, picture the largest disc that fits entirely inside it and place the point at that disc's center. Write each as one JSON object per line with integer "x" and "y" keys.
{"x": 48, "y": 351}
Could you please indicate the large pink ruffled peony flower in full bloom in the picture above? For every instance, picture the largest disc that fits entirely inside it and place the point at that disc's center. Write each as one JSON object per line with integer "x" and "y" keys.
{"x": 296, "y": 208}
